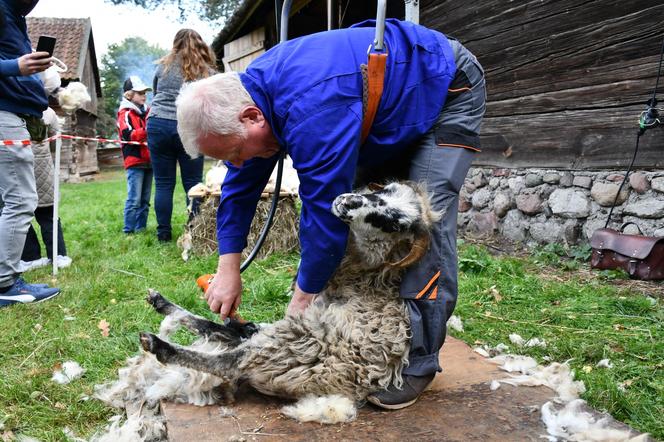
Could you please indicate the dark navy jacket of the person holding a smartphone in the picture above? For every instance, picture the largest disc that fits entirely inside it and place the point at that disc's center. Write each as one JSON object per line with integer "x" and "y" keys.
{"x": 18, "y": 94}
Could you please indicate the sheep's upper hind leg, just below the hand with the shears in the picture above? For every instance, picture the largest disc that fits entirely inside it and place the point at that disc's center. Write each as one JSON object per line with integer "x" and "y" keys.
{"x": 232, "y": 332}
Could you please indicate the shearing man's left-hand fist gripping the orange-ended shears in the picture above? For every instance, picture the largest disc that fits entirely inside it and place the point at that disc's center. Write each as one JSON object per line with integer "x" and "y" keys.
{"x": 225, "y": 292}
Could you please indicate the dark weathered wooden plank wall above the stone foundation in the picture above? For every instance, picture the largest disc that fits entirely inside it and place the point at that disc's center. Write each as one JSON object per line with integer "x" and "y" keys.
{"x": 566, "y": 79}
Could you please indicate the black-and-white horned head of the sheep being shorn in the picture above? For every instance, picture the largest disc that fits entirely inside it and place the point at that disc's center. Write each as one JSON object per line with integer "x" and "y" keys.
{"x": 382, "y": 220}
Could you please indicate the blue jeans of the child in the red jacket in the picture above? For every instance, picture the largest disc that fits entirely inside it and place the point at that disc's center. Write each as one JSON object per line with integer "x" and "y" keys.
{"x": 137, "y": 206}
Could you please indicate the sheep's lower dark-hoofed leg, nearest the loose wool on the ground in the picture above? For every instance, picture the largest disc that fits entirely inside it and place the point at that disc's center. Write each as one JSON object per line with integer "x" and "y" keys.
{"x": 222, "y": 364}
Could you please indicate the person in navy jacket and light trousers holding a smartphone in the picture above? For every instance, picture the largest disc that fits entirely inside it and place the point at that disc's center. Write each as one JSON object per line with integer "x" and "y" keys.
{"x": 22, "y": 101}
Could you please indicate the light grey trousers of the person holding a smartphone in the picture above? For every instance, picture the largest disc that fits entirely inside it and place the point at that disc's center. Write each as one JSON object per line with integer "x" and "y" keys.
{"x": 18, "y": 195}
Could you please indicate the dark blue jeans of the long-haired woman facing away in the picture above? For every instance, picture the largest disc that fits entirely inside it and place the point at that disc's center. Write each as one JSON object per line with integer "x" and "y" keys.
{"x": 166, "y": 151}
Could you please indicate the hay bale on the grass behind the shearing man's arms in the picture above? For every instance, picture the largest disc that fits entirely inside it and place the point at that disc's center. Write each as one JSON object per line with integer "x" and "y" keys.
{"x": 200, "y": 236}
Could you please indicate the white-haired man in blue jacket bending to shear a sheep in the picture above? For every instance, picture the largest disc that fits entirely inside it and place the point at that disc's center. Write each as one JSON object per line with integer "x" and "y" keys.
{"x": 304, "y": 97}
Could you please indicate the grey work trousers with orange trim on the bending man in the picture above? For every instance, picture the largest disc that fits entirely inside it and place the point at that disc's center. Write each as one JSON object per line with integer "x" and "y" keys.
{"x": 440, "y": 160}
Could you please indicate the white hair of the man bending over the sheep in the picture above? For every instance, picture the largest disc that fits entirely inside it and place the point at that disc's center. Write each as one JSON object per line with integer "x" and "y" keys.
{"x": 211, "y": 105}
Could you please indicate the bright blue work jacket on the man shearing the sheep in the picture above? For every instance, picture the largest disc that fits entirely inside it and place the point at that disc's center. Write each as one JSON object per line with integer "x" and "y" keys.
{"x": 310, "y": 90}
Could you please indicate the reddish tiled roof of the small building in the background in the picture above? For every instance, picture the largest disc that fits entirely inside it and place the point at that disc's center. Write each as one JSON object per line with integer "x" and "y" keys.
{"x": 74, "y": 37}
